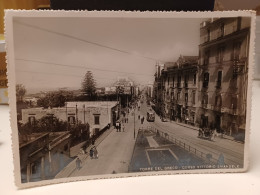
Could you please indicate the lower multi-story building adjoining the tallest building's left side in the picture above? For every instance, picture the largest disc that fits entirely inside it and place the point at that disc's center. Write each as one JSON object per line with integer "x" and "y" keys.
{"x": 179, "y": 89}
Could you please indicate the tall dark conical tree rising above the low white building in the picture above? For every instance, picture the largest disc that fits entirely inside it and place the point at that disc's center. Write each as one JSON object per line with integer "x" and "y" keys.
{"x": 89, "y": 85}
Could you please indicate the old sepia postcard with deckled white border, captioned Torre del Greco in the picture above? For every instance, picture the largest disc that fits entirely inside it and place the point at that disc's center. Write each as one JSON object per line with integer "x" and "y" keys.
{"x": 117, "y": 94}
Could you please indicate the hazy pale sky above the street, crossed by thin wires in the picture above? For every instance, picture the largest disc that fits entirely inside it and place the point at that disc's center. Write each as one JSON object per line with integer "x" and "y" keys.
{"x": 52, "y": 53}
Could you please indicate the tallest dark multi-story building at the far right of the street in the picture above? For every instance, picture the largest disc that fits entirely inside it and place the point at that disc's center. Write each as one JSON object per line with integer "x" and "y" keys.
{"x": 223, "y": 62}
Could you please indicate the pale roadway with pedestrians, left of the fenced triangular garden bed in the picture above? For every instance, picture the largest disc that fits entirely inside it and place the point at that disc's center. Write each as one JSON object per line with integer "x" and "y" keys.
{"x": 115, "y": 153}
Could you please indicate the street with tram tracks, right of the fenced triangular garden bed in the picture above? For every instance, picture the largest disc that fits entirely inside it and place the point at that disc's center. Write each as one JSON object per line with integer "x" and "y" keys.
{"x": 233, "y": 151}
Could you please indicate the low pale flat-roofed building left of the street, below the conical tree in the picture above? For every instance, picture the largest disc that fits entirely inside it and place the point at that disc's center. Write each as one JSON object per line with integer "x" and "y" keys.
{"x": 96, "y": 114}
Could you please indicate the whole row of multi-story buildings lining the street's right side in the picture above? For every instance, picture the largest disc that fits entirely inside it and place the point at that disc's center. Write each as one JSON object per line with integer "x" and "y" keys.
{"x": 209, "y": 90}
